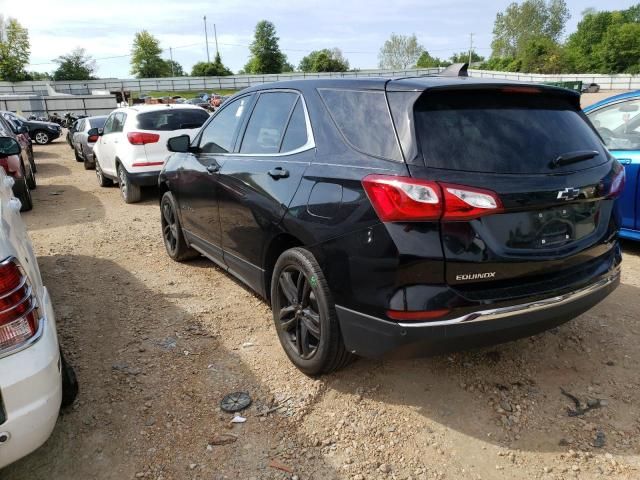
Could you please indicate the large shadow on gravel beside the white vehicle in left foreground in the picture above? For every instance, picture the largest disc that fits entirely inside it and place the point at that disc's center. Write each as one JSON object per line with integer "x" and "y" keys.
{"x": 151, "y": 378}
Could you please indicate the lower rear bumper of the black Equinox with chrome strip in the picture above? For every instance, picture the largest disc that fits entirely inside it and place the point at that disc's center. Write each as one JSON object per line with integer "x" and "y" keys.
{"x": 372, "y": 337}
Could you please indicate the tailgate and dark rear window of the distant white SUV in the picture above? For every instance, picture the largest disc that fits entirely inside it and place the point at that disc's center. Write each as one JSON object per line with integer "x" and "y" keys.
{"x": 154, "y": 128}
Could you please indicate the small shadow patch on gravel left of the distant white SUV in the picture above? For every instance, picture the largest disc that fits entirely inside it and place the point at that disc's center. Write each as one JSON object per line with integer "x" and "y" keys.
{"x": 62, "y": 205}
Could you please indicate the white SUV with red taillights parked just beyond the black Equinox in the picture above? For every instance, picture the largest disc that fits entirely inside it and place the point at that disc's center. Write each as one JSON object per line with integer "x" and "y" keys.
{"x": 132, "y": 147}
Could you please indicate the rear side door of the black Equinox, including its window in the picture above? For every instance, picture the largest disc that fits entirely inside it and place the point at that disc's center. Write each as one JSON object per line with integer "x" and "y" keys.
{"x": 259, "y": 181}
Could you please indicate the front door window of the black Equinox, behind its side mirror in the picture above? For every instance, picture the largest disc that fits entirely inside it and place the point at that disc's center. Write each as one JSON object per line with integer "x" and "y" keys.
{"x": 218, "y": 135}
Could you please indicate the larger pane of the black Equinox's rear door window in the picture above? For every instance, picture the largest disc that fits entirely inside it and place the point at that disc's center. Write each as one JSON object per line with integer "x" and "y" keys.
{"x": 267, "y": 123}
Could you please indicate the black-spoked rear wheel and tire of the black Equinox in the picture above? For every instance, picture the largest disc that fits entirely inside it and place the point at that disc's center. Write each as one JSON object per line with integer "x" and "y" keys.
{"x": 304, "y": 314}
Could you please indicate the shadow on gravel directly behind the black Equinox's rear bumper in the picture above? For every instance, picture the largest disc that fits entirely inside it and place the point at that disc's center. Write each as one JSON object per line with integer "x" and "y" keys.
{"x": 511, "y": 394}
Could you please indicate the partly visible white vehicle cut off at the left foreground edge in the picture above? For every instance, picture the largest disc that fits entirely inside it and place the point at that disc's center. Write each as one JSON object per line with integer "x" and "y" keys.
{"x": 34, "y": 378}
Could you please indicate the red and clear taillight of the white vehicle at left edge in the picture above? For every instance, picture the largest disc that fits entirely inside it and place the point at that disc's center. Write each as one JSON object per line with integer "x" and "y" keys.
{"x": 19, "y": 315}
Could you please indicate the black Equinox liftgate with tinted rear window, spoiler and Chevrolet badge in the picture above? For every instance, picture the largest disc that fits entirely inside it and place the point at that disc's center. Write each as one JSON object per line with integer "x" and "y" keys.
{"x": 540, "y": 177}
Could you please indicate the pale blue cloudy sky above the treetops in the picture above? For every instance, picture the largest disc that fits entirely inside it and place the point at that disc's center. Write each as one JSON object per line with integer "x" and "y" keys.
{"x": 359, "y": 28}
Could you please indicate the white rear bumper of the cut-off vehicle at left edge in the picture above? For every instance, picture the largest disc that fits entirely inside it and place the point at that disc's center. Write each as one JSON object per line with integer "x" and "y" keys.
{"x": 31, "y": 391}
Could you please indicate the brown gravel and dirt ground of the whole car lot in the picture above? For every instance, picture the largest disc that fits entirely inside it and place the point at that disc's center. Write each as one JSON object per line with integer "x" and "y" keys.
{"x": 157, "y": 344}
